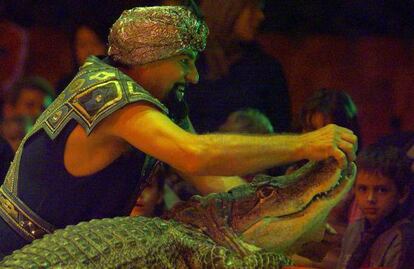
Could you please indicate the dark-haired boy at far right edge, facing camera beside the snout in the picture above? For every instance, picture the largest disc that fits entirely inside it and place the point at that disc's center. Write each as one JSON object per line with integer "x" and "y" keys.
{"x": 383, "y": 191}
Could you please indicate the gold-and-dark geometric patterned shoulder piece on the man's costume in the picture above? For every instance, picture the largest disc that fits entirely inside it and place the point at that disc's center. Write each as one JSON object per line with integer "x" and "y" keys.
{"x": 96, "y": 92}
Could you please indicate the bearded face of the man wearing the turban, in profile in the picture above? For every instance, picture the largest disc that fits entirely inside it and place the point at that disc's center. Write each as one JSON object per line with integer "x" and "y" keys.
{"x": 160, "y": 77}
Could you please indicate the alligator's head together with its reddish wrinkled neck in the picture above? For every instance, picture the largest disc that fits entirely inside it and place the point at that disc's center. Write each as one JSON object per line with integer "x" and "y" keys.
{"x": 273, "y": 213}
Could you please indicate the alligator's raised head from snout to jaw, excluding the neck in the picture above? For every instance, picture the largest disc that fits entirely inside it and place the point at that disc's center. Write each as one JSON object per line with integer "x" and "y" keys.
{"x": 283, "y": 213}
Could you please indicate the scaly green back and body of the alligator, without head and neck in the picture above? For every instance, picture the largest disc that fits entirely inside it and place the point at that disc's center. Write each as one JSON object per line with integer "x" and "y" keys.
{"x": 134, "y": 242}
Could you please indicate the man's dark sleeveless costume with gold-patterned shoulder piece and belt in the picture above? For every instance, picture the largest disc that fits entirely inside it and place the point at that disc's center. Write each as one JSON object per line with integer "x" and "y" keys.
{"x": 97, "y": 91}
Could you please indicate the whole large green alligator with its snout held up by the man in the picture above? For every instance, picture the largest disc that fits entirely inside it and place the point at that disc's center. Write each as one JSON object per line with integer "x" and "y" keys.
{"x": 254, "y": 225}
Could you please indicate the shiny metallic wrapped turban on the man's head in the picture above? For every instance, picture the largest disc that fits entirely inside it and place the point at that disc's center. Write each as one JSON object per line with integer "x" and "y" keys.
{"x": 145, "y": 34}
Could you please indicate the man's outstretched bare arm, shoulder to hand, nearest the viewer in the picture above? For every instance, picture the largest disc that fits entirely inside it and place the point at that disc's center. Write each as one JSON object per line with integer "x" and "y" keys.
{"x": 147, "y": 129}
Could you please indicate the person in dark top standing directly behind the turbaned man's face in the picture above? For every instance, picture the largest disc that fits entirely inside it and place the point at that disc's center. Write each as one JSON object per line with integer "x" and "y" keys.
{"x": 234, "y": 72}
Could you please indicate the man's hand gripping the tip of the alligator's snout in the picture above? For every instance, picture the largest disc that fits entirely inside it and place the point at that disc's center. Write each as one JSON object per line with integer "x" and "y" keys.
{"x": 330, "y": 141}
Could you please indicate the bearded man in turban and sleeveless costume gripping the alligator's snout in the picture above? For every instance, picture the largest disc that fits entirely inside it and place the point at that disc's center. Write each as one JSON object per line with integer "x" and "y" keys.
{"x": 88, "y": 154}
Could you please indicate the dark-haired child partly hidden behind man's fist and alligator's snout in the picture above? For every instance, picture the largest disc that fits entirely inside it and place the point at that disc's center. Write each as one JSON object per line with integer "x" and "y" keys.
{"x": 323, "y": 107}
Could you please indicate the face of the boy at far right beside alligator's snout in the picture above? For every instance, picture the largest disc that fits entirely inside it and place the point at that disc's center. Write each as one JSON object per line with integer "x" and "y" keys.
{"x": 376, "y": 195}
